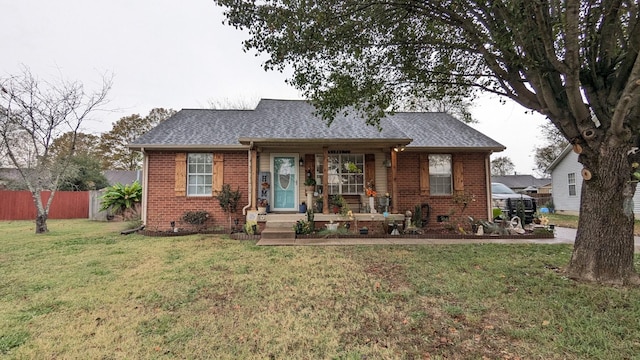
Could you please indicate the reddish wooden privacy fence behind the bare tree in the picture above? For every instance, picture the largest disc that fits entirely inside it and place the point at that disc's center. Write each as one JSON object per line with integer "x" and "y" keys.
{"x": 18, "y": 205}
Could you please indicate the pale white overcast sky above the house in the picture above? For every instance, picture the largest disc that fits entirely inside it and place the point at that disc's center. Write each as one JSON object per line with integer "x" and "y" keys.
{"x": 177, "y": 54}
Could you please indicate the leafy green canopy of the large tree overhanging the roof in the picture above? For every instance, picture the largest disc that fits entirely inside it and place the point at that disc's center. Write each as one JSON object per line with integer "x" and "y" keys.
{"x": 374, "y": 55}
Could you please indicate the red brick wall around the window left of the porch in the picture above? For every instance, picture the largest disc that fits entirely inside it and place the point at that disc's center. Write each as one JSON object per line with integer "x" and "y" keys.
{"x": 163, "y": 206}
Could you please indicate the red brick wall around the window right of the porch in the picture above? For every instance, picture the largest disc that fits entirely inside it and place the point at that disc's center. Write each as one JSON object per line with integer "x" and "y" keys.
{"x": 475, "y": 186}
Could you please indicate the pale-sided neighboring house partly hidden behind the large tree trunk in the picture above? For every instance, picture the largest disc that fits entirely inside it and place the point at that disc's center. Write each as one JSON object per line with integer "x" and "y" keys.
{"x": 567, "y": 183}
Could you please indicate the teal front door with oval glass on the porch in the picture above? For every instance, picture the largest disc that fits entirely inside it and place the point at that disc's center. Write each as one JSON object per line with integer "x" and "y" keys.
{"x": 285, "y": 182}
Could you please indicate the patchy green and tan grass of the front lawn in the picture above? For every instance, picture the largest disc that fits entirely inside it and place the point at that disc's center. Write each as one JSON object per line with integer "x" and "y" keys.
{"x": 84, "y": 291}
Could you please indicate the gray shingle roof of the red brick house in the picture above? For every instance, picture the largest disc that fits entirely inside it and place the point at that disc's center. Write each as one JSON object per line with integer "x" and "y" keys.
{"x": 294, "y": 120}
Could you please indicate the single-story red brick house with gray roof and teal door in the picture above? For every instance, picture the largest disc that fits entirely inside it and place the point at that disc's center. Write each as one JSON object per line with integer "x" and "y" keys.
{"x": 417, "y": 158}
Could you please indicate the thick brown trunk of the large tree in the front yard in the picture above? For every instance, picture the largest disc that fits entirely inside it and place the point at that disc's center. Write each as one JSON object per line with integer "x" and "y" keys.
{"x": 604, "y": 248}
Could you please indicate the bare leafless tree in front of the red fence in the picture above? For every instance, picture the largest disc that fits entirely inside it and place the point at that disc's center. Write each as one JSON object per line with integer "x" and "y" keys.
{"x": 33, "y": 114}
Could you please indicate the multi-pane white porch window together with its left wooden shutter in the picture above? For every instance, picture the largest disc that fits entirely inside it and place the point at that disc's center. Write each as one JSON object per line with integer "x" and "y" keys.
{"x": 345, "y": 174}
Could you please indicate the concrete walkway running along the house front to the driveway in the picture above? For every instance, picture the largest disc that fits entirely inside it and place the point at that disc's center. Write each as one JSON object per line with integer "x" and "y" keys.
{"x": 562, "y": 236}
